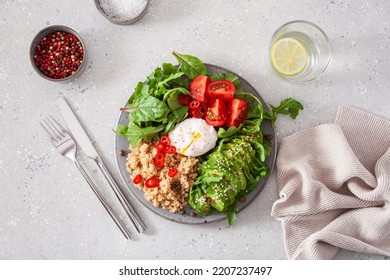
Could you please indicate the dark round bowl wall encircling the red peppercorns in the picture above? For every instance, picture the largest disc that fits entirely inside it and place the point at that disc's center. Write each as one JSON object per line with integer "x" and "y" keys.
{"x": 46, "y": 31}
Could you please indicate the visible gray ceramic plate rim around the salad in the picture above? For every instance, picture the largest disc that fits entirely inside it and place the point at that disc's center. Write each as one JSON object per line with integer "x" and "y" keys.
{"x": 121, "y": 143}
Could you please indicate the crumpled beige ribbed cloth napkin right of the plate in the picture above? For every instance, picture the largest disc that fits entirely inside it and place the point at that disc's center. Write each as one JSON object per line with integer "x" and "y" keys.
{"x": 334, "y": 187}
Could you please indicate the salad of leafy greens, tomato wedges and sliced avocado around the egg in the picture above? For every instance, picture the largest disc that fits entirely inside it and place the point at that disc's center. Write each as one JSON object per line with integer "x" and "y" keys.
{"x": 236, "y": 165}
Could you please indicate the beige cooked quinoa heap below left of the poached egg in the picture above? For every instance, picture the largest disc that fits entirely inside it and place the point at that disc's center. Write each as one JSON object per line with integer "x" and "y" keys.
{"x": 172, "y": 193}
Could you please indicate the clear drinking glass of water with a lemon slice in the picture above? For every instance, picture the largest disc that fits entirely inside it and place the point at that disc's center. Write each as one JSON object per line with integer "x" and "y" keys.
{"x": 300, "y": 51}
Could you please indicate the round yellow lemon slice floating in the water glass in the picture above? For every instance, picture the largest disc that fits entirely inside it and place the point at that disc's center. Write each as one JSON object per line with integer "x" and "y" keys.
{"x": 289, "y": 56}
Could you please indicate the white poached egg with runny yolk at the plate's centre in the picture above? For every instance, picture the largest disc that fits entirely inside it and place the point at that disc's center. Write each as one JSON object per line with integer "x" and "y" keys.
{"x": 193, "y": 137}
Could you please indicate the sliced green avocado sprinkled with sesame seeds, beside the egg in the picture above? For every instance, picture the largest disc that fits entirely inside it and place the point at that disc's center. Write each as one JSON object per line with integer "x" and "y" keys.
{"x": 231, "y": 171}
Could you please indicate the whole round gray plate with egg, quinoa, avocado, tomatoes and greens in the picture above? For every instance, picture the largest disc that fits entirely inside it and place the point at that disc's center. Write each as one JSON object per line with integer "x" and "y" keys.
{"x": 195, "y": 143}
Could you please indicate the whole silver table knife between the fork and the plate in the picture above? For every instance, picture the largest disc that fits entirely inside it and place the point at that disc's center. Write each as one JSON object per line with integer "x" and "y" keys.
{"x": 89, "y": 150}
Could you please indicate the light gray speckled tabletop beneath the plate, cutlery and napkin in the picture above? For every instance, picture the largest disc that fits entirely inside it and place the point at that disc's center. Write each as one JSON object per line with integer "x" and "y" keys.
{"x": 48, "y": 210}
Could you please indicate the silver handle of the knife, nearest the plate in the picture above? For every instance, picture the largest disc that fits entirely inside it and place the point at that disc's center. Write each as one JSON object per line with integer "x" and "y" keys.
{"x": 134, "y": 217}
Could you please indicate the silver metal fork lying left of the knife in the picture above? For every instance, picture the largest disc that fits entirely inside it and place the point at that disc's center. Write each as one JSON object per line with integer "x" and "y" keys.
{"x": 66, "y": 146}
